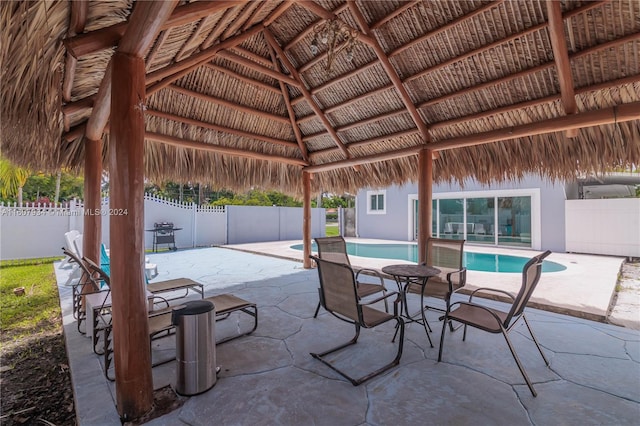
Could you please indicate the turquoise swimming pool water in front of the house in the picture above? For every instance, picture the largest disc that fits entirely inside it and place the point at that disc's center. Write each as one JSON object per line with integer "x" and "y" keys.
{"x": 485, "y": 262}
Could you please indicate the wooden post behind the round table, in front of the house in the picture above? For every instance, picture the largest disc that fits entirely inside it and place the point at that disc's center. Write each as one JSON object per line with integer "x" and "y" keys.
{"x": 425, "y": 197}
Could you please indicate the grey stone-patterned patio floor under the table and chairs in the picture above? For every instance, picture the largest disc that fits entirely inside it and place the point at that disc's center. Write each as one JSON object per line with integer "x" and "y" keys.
{"x": 270, "y": 378}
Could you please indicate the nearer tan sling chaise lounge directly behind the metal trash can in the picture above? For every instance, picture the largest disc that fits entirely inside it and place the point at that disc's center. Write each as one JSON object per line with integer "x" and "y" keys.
{"x": 160, "y": 324}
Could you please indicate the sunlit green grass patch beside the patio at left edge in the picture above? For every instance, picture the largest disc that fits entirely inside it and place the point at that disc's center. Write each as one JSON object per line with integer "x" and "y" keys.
{"x": 38, "y": 309}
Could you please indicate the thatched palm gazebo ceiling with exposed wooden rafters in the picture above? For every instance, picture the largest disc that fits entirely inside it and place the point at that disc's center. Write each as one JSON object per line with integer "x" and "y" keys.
{"x": 236, "y": 97}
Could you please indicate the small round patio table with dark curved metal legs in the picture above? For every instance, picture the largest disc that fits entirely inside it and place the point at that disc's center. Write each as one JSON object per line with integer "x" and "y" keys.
{"x": 405, "y": 275}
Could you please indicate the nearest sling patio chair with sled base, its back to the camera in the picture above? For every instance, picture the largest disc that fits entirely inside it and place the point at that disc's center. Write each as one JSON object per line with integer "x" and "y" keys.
{"x": 339, "y": 296}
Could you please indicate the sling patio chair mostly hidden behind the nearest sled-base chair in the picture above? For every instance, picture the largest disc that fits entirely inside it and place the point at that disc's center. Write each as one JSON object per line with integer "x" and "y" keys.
{"x": 334, "y": 249}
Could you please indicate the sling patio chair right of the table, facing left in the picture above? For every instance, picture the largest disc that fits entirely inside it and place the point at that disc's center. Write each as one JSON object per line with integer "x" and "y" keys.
{"x": 493, "y": 320}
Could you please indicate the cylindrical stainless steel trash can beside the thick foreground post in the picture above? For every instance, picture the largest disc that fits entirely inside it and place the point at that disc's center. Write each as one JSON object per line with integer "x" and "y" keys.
{"x": 195, "y": 346}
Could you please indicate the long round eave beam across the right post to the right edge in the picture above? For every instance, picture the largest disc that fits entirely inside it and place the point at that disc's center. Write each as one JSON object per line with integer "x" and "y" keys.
{"x": 616, "y": 114}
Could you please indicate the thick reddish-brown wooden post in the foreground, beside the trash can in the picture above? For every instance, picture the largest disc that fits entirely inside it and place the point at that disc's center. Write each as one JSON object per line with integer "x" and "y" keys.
{"x": 132, "y": 352}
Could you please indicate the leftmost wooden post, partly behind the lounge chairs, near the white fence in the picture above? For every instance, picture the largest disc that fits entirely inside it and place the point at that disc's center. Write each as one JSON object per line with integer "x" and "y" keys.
{"x": 92, "y": 234}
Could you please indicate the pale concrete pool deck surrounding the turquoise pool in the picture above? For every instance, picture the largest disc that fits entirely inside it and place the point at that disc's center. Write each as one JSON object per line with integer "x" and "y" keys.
{"x": 585, "y": 289}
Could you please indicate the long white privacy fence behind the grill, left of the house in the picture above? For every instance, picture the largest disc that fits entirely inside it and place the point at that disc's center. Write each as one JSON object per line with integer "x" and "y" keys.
{"x": 38, "y": 230}
